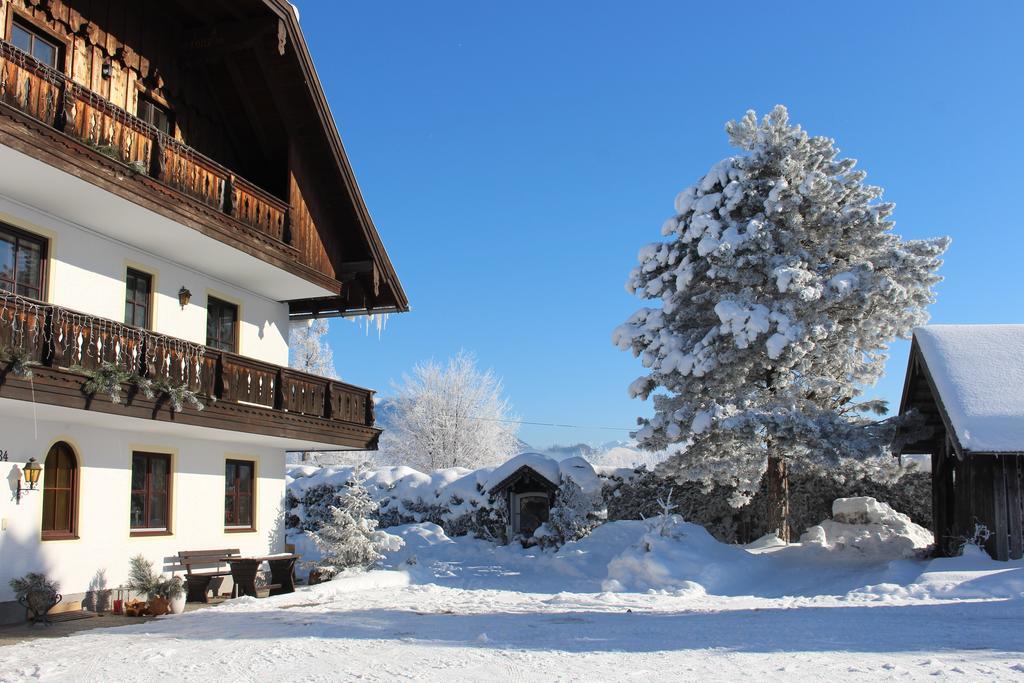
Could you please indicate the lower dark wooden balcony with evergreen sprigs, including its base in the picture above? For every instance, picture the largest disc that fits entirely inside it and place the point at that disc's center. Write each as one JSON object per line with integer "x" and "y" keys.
{"x": 63, "y": 350}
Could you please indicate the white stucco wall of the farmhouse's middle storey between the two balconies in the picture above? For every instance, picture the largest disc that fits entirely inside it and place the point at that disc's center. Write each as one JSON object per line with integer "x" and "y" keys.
{"x": 87, "y": 273}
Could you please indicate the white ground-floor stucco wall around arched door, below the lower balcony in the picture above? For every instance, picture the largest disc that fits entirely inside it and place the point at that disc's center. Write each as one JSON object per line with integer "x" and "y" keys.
{"x": 105, "y": 543}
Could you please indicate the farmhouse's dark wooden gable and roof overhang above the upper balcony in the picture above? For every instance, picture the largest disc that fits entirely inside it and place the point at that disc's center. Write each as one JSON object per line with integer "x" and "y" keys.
{"x": 242, "y": 91}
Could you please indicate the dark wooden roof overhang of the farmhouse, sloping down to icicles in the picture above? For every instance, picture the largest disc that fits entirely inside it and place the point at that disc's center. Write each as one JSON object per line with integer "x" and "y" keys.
{"x": 257, "y": 50}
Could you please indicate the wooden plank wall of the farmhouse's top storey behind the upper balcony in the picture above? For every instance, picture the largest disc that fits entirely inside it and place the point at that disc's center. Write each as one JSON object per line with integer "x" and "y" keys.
{"x": 139, "y": 39}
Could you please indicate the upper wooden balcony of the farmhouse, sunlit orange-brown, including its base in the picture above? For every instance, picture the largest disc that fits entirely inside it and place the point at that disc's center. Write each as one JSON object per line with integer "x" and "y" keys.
{"x": 73, "y": 129}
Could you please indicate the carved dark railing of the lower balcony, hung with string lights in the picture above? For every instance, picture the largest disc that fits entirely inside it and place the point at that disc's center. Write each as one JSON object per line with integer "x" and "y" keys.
{"x": 40, "y": 334}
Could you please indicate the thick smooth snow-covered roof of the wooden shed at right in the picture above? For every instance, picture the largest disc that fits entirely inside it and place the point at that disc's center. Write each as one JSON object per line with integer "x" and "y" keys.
{"x": 978, "y": 371}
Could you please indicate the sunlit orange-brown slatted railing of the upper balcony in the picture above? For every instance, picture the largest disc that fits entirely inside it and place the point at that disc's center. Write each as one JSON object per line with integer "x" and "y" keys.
{"x": 55, "y": 100}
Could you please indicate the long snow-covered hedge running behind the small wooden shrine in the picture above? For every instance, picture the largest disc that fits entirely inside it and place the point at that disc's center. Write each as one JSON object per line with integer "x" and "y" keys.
{"x": 458, "y": 500}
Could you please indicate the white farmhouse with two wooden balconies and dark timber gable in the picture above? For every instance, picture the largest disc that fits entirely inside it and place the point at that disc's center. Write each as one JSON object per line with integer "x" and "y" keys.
{"x": 174, "y": 195}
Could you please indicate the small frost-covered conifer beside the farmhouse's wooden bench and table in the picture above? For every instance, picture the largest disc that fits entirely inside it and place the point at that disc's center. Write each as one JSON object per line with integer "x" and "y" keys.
{"x": 350, "y": 539}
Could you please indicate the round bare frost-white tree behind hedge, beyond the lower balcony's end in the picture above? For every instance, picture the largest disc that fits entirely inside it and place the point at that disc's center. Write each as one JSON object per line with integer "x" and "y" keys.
{"x": 450, "y": 417}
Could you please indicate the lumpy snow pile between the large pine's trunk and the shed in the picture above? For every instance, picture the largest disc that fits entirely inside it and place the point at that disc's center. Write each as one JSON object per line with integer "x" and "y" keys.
{"x": 866, "y": 529}
